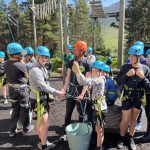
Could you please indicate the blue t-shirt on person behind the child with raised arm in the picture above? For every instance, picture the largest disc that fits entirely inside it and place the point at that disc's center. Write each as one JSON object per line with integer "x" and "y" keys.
{"x": 111, "y": 89}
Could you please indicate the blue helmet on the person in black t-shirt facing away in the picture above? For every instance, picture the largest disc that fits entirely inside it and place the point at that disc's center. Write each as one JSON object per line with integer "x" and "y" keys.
{"x": 14, "y": 48}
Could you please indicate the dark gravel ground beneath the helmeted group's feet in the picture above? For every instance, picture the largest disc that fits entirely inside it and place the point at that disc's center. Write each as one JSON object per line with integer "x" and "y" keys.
{"x": 57, "y": 113}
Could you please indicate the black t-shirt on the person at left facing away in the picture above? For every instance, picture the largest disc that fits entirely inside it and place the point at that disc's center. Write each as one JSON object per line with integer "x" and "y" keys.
{"x": 15, "y": 72}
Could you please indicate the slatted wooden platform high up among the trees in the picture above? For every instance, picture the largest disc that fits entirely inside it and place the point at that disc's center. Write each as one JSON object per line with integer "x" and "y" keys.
{"x": 97, "y": 9}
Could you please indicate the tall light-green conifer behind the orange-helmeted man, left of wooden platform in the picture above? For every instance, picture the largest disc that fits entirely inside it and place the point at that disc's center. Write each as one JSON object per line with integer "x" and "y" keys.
{"x": 80, "y": 24}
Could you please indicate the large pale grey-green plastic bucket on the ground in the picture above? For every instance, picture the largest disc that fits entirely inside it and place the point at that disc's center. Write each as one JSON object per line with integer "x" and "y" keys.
{"x": 79, "y": 135}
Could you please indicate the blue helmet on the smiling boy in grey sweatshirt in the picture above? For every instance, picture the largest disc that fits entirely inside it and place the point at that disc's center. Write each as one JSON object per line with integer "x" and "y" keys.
{"x": 42, "y": 51}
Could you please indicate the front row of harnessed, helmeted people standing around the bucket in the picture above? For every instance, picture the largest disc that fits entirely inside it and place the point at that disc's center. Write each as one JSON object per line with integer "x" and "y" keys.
{"x": 82, "y": 80}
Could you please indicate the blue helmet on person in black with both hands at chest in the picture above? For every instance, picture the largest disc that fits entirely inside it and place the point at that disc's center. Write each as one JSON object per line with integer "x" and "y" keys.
{"x": 136, "y": 50}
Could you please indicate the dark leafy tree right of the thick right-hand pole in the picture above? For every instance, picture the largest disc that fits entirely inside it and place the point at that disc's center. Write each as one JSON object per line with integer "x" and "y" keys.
{"x": 137, "y": 21}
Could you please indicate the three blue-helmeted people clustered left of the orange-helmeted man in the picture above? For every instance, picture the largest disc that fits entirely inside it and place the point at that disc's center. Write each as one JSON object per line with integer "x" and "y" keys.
{"x": 28, "y": 87}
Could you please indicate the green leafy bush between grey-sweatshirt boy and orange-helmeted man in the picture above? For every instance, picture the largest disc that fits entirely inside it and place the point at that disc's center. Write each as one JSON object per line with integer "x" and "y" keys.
{"x": 56, "y": 63}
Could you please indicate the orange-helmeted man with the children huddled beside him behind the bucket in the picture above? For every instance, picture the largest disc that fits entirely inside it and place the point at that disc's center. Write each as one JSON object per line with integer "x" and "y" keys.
{"x": 83, "y": 76}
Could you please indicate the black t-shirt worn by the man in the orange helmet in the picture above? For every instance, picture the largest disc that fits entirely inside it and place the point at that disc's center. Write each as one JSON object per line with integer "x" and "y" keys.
{"x": 84, "y": 67}
